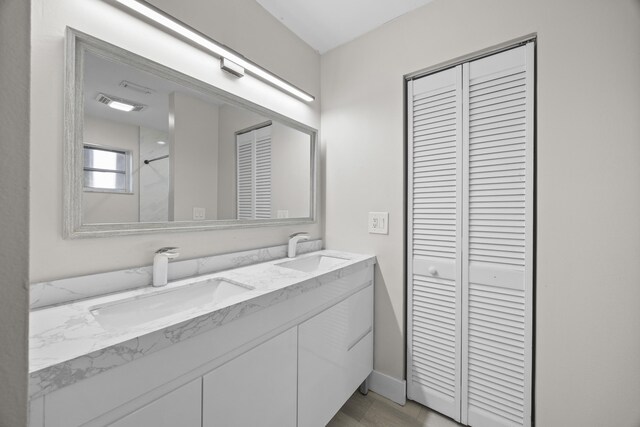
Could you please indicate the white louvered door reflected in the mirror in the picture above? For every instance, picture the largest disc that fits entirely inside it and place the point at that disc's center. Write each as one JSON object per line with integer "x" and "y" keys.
{"x": 253, "y": 149}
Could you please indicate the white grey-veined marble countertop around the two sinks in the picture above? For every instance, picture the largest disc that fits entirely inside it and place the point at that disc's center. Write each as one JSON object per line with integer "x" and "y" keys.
{"x": 68, "y": 344}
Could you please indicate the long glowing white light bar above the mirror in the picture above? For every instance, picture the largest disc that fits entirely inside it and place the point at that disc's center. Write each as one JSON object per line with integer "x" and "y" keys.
{"x": 170, "y": 23}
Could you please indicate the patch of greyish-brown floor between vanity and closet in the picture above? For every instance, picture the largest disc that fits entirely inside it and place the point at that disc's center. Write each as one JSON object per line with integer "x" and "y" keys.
{"x": 376, "y": 411}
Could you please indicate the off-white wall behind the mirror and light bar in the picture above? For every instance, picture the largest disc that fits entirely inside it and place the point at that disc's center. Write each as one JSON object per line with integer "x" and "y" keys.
{"x": 267, "y": 43}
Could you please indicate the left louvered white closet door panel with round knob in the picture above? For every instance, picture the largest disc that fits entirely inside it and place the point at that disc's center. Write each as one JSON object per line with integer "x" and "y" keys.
{"x": 434, "y": 242}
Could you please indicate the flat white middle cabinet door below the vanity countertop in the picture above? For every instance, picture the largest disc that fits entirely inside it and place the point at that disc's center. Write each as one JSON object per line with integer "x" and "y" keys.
{"x": 257, "y": 388}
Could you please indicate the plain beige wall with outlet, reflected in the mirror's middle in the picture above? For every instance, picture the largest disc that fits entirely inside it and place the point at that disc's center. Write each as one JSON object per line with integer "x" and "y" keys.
{"x": 193, "y": 157}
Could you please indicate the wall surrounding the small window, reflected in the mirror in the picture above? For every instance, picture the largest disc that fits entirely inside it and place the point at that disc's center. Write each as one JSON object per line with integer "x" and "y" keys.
{"x": 101, "y": 207}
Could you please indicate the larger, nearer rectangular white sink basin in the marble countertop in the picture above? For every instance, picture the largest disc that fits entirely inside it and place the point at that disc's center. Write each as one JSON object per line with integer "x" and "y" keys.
{"x": 141, "y": 309}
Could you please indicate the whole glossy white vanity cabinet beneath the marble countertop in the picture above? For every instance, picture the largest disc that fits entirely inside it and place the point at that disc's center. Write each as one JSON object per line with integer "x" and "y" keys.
{"x": 292, "y": 363}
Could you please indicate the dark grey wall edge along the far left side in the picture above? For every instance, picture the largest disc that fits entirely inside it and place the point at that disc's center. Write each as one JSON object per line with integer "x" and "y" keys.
{"x": 14, "y": 210}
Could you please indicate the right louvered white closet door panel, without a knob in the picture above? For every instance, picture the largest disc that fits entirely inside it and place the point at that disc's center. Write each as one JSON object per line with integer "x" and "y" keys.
{"x": 497, "y": 236}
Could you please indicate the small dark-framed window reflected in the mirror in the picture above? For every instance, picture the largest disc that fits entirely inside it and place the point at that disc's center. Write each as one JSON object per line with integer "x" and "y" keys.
{"x": 107, "y": 169}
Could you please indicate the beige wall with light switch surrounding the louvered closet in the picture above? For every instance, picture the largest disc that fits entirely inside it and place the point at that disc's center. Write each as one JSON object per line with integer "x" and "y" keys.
{"x": 588, "y": 199}
